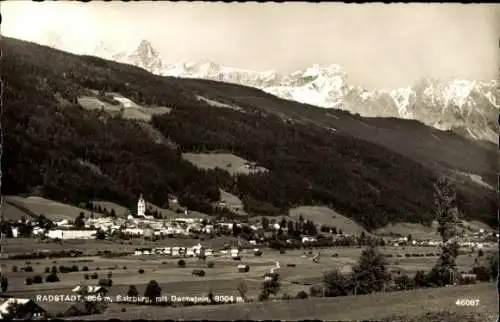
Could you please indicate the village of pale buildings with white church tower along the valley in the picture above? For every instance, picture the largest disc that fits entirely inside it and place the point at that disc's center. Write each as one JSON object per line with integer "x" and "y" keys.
{"x": 146, "y": 226}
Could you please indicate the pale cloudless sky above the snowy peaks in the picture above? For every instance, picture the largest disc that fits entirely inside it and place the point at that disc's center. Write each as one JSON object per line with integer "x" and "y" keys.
{"x": 378, "y": 45}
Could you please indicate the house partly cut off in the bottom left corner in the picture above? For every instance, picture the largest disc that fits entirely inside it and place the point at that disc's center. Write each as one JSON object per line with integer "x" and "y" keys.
{"x": 22, "y": 309}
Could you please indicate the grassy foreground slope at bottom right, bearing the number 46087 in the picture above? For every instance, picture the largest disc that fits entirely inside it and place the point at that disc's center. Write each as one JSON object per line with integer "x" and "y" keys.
{"x": 375, "y": 306}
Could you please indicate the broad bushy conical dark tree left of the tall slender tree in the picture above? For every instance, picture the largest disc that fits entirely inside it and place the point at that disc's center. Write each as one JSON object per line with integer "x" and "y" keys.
{"x": 370, "y": 274}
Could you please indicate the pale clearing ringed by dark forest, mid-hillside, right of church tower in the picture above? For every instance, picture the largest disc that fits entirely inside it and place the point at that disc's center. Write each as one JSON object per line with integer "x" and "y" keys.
{"x": 225, "y": 161}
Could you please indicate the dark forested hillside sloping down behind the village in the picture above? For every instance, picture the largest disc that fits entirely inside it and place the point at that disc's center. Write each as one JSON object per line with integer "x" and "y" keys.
{"x": 54, "y": 147}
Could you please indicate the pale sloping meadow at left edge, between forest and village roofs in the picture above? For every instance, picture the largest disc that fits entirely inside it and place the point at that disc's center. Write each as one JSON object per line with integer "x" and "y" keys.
{"x": 53, "y": 210}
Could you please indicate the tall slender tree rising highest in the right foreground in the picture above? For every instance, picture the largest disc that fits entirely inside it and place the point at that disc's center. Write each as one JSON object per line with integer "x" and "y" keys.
{"x": 445, "y": 270}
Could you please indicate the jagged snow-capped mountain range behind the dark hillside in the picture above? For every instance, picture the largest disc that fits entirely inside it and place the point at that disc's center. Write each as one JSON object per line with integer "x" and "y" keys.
{"x": 466, "y": 106}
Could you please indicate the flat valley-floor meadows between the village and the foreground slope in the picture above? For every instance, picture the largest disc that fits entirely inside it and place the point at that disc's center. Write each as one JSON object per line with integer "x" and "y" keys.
{"x": 222, "y": 279}
